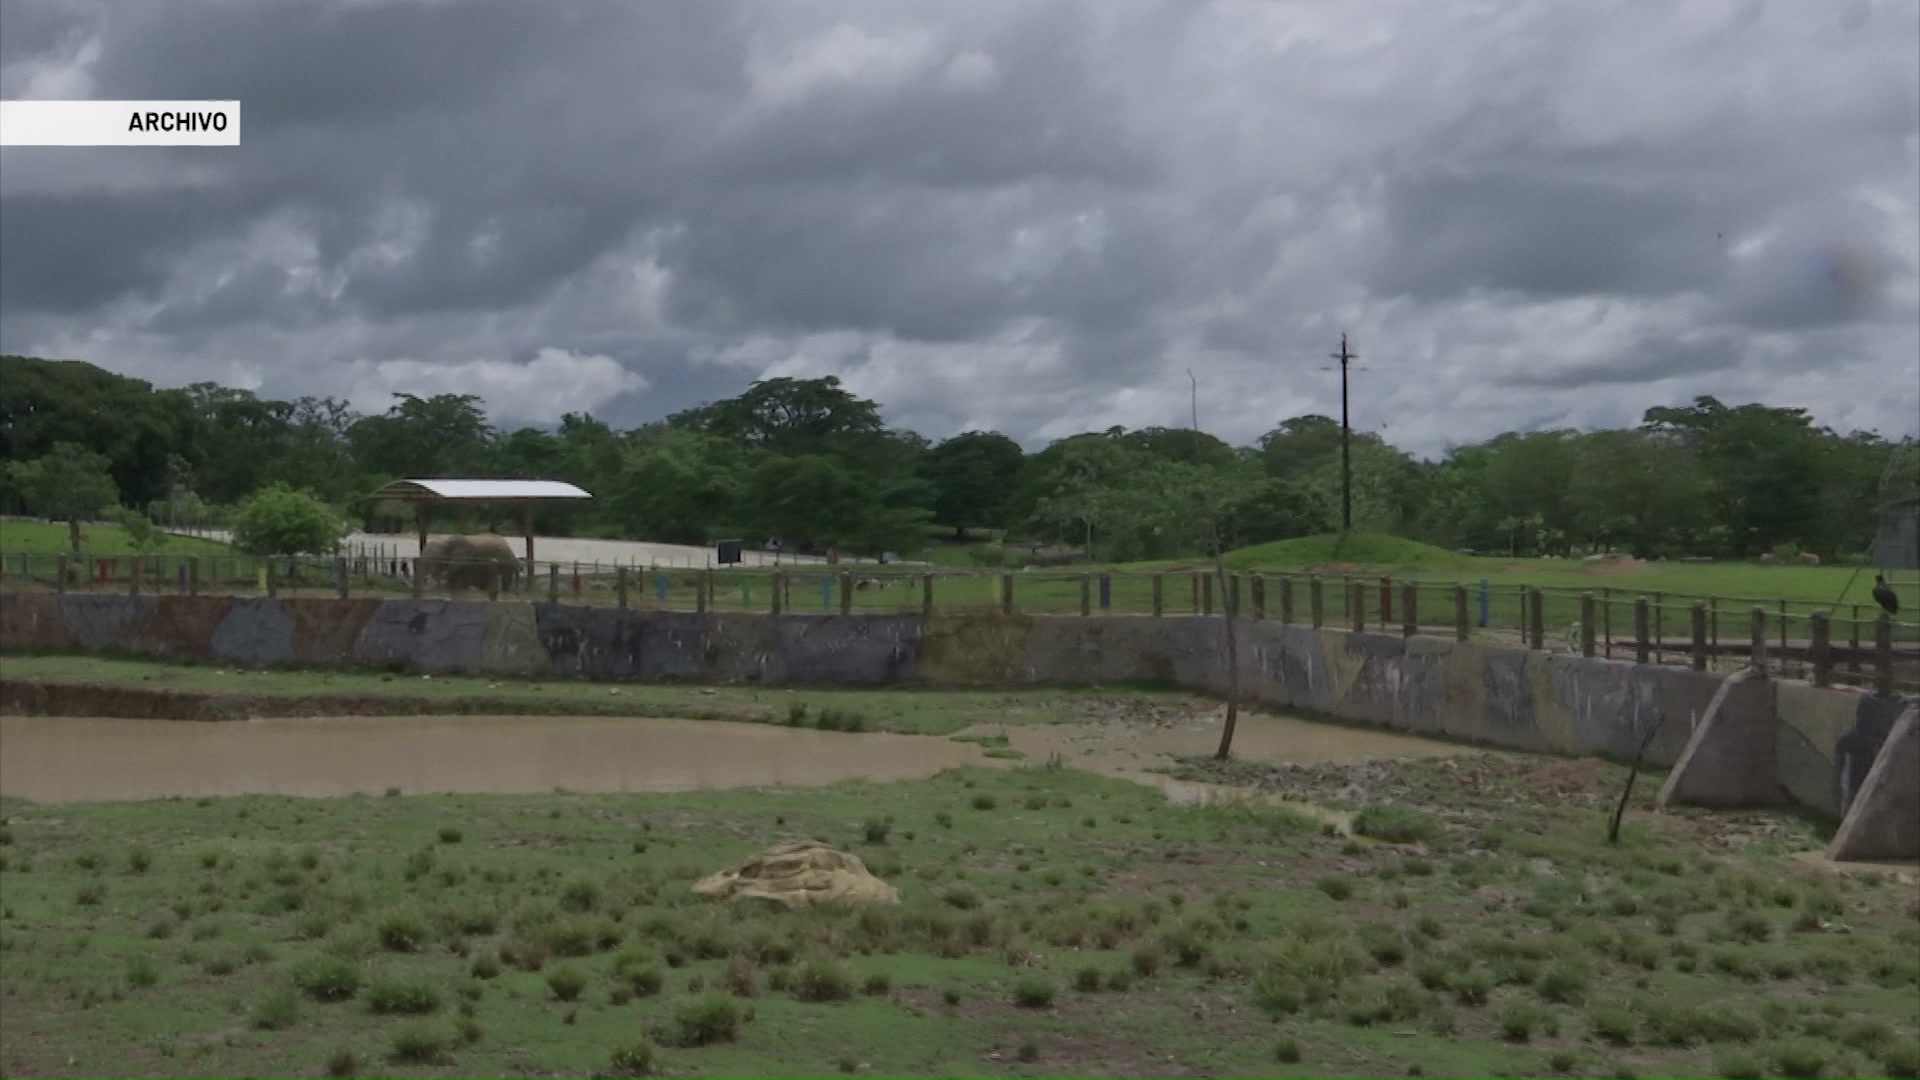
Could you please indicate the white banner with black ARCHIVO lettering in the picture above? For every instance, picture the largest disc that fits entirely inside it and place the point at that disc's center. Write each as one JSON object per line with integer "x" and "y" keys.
{"x": 120, "y": 124}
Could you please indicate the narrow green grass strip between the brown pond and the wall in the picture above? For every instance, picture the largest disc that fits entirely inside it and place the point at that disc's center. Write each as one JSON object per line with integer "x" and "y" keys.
{"x": 909, "y": 712}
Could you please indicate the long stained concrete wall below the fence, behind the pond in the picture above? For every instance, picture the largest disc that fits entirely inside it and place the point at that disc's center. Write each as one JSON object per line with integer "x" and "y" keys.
{"x": 1825, "y": 741}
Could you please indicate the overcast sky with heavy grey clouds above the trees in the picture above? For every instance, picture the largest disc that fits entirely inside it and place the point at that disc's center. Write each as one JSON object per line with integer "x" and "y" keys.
{"x": 1028, "y": 216}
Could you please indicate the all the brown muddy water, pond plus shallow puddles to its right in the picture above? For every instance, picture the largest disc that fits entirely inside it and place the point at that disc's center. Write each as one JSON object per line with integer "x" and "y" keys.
{"x": 101, "y": 760}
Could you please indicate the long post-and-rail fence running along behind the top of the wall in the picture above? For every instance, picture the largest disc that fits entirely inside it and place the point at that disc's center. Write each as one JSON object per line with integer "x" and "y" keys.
{"x": 1831, "y": 645}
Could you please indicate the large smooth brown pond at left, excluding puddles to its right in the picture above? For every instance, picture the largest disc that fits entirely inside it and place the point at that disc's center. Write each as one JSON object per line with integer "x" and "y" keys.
{"x": 103, "y": 760}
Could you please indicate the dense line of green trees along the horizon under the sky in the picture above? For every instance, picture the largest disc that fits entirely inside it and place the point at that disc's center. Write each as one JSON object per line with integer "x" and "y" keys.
{"x": 817, "y": 466}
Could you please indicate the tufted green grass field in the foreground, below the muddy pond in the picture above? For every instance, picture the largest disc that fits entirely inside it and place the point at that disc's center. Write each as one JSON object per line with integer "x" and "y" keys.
{"x": 1166, "y": 943}
